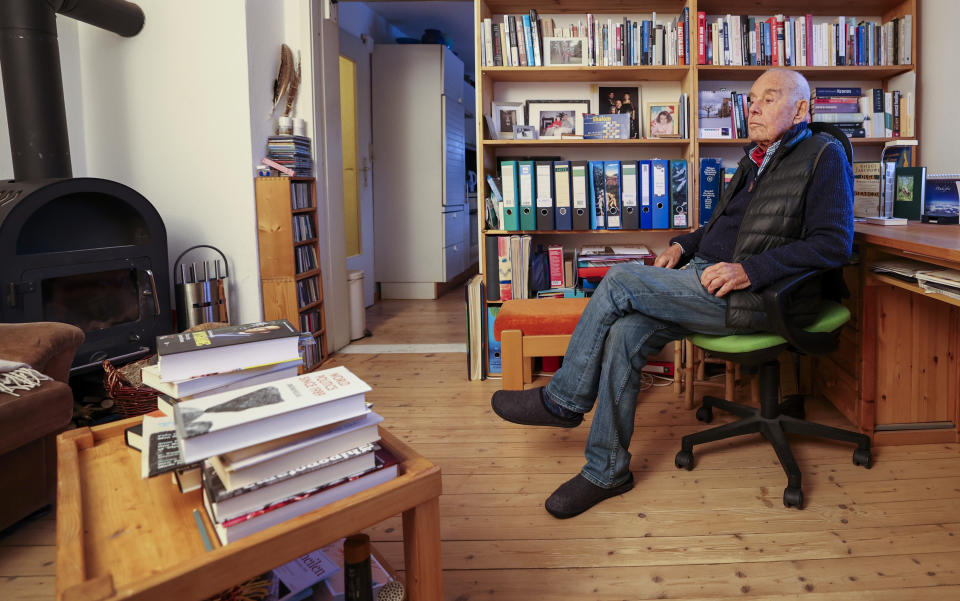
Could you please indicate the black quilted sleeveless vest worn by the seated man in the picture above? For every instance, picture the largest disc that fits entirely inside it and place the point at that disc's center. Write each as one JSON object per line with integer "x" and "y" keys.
{"x": 773, "y": 218}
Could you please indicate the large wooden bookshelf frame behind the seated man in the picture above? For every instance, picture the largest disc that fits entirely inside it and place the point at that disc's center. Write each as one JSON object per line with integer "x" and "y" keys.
{"x": 510, "y": 83}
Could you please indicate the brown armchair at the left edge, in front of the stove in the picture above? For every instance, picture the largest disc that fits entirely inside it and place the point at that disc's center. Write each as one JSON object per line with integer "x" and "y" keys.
{"x": 30, "y": 423}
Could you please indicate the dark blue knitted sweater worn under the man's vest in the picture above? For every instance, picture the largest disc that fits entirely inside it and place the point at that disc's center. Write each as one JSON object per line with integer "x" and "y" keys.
{"x": 828, "y": 219}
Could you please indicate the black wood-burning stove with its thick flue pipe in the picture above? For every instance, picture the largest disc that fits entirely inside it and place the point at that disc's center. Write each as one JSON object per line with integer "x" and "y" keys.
{"x": 85, "y": 251}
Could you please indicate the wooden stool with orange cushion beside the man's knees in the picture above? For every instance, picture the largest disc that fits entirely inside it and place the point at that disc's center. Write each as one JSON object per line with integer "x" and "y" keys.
{"x": 536, "y": 327}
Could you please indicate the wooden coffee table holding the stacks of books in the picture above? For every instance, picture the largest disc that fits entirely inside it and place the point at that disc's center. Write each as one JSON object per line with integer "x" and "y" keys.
{"x": 121, "y": 537}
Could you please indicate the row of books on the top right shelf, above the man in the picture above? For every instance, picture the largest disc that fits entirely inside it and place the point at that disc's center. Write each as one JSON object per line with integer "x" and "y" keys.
{"x": 800, "y": 41}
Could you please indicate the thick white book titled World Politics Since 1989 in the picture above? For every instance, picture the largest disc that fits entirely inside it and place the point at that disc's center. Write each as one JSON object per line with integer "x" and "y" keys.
{"x": 220, "y": 423}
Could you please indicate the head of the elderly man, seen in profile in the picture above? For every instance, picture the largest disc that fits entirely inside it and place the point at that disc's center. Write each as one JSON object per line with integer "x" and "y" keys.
{"x": 772, "y": 112}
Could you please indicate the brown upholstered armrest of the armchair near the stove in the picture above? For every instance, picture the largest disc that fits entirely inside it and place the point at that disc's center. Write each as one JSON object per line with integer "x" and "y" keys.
{"x": 46, "y": 346}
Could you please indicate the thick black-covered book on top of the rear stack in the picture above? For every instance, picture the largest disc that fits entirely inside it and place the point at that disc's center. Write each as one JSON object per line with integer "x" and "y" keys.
{"x": 220, "y": 350}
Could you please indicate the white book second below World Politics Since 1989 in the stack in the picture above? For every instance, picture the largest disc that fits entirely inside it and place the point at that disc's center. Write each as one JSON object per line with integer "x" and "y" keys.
{"x": 253, "y": 464}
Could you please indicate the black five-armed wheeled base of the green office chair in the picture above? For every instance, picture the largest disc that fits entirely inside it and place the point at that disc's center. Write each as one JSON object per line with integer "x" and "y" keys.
{"x": 774, "y": 420}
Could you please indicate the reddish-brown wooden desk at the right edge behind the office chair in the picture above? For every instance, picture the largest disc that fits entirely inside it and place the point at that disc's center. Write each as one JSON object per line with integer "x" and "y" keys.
{"x": 896, "y": 374}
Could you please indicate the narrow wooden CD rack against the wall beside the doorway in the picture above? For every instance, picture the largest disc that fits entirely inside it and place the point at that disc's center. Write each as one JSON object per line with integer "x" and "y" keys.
{"x": 279, "y": 278}
